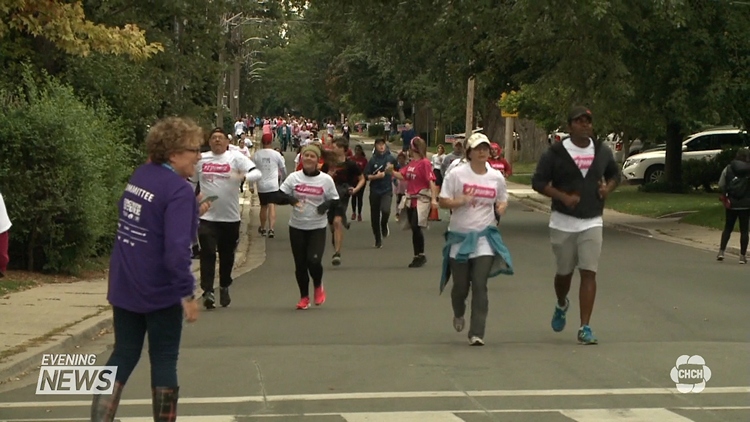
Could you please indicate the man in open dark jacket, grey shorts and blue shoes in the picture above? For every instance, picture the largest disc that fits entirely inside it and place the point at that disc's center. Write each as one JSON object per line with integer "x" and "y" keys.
{"x": 578, "y": 174}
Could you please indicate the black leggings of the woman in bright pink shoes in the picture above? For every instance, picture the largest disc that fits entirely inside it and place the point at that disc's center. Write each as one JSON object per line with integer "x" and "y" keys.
{"x": 307, "y": 248}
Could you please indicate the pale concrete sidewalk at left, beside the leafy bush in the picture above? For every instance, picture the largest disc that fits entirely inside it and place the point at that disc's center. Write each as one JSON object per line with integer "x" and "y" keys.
{"x": 56, "y": 318}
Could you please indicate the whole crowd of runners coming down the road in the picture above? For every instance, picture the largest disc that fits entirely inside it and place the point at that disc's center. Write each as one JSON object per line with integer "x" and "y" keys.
{"x": 330, "y": 177}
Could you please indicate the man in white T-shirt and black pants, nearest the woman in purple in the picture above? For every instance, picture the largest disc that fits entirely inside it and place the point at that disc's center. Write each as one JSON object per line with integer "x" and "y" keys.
{"x": 218, "y": 172}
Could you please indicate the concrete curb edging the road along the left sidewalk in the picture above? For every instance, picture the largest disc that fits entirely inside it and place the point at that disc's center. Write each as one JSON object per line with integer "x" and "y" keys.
{"x": 72, "y": 336}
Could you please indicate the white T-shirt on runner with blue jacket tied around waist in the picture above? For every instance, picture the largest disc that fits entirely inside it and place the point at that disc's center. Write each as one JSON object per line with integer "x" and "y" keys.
{"x": 487, "y": 189}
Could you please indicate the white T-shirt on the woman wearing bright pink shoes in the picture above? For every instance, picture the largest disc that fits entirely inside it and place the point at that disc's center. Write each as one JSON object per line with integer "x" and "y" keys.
{"x": 312, "y": 192}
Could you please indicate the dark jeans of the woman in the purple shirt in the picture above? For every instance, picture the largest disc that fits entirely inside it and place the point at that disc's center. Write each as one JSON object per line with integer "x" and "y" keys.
{"x": 164, "y": 330}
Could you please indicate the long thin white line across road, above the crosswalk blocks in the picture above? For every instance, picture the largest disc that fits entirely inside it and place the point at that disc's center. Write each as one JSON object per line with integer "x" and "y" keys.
{"x": 393, "y": 395}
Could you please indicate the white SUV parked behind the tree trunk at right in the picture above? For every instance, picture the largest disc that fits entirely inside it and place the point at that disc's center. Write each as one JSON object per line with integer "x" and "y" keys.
{"x": 649, "y": 166}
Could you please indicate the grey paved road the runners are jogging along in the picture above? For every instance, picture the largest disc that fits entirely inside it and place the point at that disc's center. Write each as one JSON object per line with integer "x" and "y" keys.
{"x": 382, "y": 348}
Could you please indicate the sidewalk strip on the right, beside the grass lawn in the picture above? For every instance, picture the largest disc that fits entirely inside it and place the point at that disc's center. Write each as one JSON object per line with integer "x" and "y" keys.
{"x": 665, "y": 229}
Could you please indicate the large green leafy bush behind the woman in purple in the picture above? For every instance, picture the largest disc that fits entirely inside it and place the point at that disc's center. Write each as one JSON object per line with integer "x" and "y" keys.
{"x": 63, "y": 166}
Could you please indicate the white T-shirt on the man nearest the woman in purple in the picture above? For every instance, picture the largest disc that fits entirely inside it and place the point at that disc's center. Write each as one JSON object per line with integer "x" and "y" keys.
{"x": 221, "y": 175}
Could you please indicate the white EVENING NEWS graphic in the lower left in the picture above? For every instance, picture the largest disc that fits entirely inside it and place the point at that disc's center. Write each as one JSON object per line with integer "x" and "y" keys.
{"x": 74, "y": 374}
